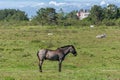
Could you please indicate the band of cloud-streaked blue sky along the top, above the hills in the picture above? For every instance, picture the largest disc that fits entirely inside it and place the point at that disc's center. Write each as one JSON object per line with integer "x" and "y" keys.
{"x": 44, "y": 3}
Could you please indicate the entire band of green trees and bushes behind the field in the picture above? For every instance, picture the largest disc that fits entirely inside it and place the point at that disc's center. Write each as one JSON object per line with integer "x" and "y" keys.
{"x": 109, "y": 16}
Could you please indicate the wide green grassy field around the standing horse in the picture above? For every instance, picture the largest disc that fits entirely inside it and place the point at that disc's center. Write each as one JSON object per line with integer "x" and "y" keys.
{"x": 98, "y": 59}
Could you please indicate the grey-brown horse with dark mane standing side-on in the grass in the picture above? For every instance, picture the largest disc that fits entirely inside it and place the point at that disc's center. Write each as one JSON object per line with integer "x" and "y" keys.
{"x": 55, "y": 55}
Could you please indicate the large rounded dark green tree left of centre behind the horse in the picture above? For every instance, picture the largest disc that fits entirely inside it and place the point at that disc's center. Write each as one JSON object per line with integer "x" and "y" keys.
{"x": 46, "y": 16}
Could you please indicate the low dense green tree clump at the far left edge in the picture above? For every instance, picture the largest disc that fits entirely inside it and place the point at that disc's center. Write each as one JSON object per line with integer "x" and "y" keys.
{"x": 12, "y": 14}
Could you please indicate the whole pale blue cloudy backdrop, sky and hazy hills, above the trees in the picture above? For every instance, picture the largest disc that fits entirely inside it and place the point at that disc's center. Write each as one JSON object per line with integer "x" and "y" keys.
{"x": 31, "y": 6}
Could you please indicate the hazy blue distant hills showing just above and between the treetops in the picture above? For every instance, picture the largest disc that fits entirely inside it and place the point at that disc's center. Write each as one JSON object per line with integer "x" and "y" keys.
{"x": 31, "y": 11}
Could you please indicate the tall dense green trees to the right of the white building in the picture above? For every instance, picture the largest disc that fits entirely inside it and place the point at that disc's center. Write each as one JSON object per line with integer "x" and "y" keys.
{"x": 109, "y": 15}
